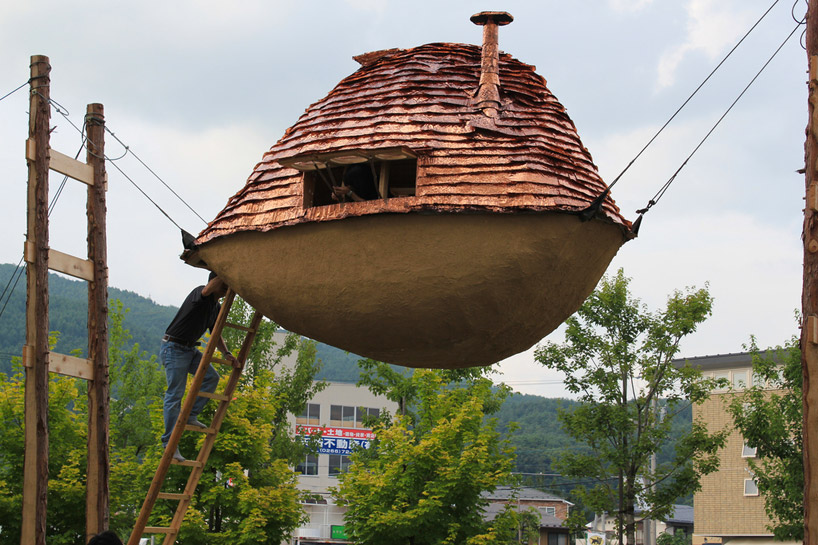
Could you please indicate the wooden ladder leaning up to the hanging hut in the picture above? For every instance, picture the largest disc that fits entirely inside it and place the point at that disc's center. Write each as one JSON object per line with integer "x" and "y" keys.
{"x": 224, "y": 398}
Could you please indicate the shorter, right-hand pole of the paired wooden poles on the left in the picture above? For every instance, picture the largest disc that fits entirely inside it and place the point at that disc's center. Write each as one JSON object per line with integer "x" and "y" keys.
{"x": 97, "y": 506}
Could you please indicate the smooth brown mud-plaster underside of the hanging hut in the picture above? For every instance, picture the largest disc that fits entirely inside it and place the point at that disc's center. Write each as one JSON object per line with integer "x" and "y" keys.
{"x": 444, "y": 291}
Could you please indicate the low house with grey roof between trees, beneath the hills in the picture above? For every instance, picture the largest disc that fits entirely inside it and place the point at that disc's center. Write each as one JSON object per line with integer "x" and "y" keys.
{"x": 552, "y": 509}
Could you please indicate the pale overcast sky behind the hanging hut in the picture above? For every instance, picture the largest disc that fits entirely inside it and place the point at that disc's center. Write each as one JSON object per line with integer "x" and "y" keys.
{"x": 199, "y": 90}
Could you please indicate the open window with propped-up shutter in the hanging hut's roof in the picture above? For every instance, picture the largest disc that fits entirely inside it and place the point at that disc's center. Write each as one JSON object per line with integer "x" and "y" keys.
{"x": 356, "y": 175}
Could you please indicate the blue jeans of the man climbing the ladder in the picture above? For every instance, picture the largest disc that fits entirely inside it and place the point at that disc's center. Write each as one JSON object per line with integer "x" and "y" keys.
{"x": 179, "y": 361}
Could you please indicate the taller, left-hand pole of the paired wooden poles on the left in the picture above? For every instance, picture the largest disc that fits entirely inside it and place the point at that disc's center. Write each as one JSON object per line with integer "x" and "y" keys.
{"x": 35, "y": 351}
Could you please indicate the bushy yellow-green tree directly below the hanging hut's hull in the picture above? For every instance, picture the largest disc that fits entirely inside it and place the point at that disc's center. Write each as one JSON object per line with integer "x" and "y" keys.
{"x": 421, "y": 481}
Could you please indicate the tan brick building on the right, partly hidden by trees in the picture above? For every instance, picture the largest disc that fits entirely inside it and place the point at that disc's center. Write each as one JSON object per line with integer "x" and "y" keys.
{"x": 728, "y": 508}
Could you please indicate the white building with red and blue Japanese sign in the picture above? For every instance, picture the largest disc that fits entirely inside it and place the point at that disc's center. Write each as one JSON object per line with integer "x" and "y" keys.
{"x": 340, "y": 410}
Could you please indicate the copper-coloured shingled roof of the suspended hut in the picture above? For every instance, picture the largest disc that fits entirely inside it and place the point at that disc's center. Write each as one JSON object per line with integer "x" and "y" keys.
{"x": 528, "y": 158}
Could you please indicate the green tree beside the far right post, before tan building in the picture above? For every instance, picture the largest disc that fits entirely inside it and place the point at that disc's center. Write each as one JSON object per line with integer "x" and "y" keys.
{"x": 769, "y": 416}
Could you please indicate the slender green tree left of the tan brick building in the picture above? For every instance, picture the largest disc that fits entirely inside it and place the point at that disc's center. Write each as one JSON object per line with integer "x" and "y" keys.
{"x": 617, "y": 358}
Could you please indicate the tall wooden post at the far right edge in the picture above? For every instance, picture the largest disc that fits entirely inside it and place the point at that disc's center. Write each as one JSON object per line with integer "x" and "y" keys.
{"x": 809, "y": 301}
